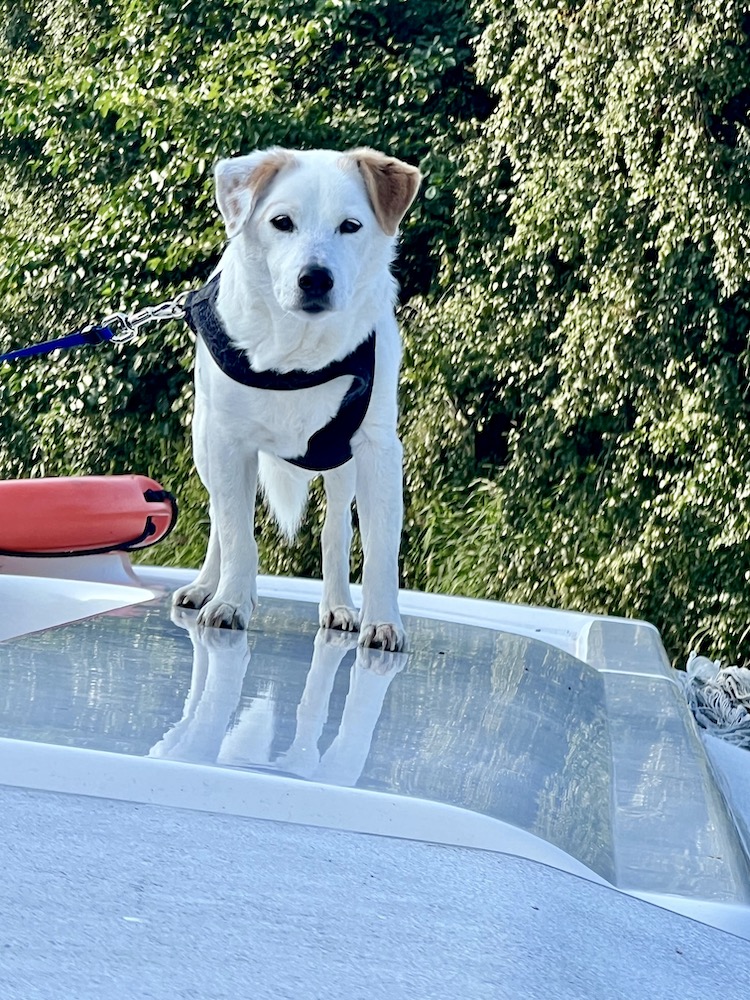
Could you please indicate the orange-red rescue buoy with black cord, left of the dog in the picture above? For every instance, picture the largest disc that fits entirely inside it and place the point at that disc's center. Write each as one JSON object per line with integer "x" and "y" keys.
{"x": 81, "y": 515}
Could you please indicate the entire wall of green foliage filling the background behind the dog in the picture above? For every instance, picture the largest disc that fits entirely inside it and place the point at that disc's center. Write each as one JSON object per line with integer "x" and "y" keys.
{"x": 575, "y": 276}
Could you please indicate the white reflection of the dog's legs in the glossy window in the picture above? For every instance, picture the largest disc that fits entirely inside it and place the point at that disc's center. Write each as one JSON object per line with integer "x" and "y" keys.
{"x": 220, "y": 661}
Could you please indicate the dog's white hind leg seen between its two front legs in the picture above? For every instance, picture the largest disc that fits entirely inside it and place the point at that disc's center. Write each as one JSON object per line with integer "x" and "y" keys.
{"x": 336, "y": 608}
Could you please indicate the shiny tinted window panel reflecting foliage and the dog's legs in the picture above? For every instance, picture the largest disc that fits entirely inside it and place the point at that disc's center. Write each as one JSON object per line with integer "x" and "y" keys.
{"x": 499, "y": 724}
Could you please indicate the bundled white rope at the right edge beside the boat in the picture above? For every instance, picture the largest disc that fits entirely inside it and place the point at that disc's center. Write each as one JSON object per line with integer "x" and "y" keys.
{"x": 719, "y": 698}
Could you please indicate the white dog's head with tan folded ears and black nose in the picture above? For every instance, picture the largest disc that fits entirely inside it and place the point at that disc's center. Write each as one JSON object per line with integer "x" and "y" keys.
{"x": 318, "y": 225}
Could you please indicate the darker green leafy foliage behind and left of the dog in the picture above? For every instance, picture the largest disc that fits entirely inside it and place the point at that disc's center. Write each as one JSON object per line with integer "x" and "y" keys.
{"x": 111, "y": 116}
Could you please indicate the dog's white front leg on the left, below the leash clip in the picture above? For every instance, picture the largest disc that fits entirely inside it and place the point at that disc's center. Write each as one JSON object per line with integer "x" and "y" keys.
{"x": 233, "y": 483}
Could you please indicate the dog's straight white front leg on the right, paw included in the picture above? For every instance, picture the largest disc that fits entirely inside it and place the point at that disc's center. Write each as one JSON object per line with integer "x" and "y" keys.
{"x": 380, "y": 508}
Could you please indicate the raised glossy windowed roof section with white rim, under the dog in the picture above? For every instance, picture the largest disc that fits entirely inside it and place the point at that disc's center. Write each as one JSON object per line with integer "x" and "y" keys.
{"x": 490, "y": 735}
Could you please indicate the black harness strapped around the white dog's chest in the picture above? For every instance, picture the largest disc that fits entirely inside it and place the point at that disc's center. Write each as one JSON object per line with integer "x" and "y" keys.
{"x": 331, "y": 445}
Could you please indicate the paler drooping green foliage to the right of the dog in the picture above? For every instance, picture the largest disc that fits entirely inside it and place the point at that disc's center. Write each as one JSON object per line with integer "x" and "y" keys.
{"x": 603, "y": 290}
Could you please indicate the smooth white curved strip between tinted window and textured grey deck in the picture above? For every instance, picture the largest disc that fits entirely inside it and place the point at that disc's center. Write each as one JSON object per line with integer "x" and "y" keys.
{"x": 268, "y": 797}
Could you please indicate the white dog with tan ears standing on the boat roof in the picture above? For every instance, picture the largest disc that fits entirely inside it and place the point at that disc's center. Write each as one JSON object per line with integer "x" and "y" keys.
{"x": 296, "y": 373}
